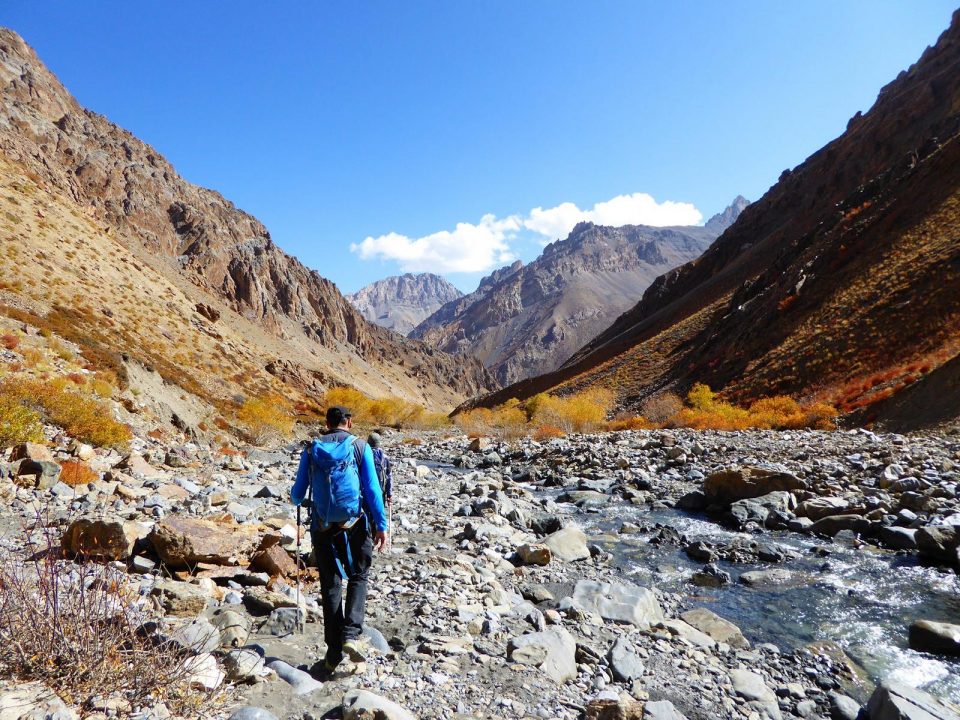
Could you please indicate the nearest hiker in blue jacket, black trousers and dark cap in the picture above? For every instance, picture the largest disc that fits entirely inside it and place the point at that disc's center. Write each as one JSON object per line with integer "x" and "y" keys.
{"x": 338, "y": 475}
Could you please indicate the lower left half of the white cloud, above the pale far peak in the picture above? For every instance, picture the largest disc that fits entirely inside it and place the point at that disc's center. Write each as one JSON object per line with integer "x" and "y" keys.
{"x": 467, "y": 248}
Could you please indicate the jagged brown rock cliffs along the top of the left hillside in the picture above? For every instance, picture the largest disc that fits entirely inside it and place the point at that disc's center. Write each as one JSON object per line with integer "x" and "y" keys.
{"x": 130, "y": 189}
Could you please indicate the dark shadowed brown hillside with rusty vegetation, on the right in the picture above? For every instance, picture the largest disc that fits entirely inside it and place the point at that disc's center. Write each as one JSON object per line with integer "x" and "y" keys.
{"x": 841, "y": 282}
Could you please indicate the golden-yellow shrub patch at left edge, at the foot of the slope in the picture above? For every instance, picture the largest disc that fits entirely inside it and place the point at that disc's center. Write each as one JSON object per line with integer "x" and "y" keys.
{"x": 81, "y": 416}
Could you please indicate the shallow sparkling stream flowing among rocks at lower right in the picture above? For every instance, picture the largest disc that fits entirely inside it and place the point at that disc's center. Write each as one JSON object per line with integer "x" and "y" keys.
{"x": 863, "y": 599}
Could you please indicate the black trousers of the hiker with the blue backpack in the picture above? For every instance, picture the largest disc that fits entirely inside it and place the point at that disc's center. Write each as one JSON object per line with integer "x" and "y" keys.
{"x": 339, "y": 623}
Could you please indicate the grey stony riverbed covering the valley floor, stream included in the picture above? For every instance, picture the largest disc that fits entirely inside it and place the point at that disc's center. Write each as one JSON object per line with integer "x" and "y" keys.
{"x": 627, "y": 575}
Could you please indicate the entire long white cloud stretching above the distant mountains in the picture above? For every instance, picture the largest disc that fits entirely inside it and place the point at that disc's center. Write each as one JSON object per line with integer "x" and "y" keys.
{"x": 482, "y": 246}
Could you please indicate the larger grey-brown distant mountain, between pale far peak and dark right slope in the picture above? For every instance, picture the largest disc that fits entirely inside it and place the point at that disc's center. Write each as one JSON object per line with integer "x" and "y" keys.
{"x": 523, "y": 321}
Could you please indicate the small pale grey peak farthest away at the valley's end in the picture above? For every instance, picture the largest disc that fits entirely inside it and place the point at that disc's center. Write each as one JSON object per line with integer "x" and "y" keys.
{"x": 402, "y": 302}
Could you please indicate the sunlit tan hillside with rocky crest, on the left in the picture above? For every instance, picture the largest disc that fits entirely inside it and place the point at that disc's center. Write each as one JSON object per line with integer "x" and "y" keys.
{"x": 104, "y": 240}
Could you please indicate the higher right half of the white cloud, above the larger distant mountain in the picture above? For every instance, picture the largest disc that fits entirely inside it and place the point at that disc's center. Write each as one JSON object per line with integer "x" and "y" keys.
{"x": 635, "y": 209}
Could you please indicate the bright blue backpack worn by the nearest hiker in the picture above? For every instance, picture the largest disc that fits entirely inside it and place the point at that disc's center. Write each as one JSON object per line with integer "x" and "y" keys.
{"x": 335, "y": 481}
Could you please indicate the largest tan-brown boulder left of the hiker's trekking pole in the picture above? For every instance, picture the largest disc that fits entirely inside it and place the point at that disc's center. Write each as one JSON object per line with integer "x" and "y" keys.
{"x": 183, "y": 541}
